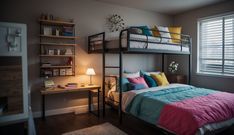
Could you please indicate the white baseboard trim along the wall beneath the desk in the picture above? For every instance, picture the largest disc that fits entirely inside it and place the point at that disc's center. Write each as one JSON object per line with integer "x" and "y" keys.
{"x": 73, "y": 109}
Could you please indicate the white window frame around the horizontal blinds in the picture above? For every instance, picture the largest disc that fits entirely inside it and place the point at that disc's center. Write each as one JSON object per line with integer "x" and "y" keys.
{"x": 199, "y": 21}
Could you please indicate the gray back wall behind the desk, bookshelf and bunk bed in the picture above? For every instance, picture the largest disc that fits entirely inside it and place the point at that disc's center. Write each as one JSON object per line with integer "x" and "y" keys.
{"x": 90, "y": 18}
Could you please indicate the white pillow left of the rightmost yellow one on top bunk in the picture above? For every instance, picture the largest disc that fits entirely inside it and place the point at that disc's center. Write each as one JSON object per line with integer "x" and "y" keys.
{"x": 164, "y": 32}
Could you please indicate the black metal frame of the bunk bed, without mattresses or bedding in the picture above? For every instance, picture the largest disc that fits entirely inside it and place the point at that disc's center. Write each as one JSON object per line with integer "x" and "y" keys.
{"x": 129, "y": 50}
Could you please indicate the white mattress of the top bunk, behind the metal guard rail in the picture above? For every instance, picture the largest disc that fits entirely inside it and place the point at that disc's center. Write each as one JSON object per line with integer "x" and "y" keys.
{"x": 114, "y": 43}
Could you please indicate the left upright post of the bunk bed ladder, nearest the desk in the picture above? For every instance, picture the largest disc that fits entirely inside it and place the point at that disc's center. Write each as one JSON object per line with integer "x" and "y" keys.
{"x": 104, "y": 74}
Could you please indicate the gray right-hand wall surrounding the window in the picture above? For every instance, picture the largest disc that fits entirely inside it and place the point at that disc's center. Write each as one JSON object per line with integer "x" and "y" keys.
{"x": 188, "y": 21}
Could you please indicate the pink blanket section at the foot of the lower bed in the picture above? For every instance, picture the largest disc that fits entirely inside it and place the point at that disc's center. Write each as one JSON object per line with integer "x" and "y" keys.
{"x": 185, "y": 117}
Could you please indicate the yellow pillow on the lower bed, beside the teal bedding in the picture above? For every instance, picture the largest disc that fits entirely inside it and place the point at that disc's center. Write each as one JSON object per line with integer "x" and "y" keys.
{"x": 160, "y": 78}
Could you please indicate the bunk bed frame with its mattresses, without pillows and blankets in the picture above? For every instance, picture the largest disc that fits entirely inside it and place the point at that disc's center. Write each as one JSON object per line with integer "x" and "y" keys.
{"x": 129, "y": 42}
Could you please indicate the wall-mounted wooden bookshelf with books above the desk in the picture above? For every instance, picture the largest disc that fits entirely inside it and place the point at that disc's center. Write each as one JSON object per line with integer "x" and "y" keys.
{"x": 57, "y": 48}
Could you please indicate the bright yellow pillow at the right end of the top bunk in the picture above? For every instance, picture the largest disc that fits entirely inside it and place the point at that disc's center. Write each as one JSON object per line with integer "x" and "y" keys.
{"x": 175, "y": 36}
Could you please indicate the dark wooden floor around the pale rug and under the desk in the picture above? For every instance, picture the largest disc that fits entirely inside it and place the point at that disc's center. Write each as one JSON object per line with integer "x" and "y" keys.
{"x": 56, "y": 125}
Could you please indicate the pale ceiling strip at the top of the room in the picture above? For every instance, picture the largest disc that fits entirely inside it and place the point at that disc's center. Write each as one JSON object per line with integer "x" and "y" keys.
{"x": 170, "y": 7}
